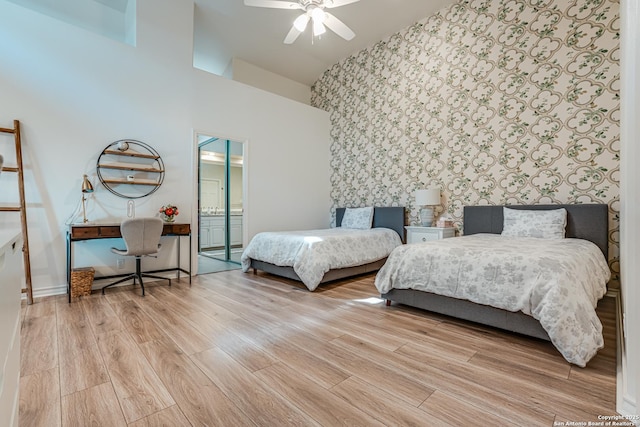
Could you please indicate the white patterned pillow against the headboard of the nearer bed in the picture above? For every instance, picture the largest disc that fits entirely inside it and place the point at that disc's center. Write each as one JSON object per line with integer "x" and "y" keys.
{"x": 543, "y": 224}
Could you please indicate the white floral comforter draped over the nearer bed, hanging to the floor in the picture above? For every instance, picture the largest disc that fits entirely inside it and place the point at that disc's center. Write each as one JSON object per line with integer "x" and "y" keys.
{"x": 558, "y": 282}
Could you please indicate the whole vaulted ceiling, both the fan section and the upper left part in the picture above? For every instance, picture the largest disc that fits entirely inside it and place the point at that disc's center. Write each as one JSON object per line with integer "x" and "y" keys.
{"x": 227, "y": 29}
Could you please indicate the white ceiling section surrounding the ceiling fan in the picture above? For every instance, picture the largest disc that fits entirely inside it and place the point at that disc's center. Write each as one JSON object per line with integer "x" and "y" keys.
{"x": 225, "y": 29}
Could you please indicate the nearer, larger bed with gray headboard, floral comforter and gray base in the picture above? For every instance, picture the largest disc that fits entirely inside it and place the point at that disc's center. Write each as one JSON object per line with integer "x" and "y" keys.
{"x": 418, "y": 282}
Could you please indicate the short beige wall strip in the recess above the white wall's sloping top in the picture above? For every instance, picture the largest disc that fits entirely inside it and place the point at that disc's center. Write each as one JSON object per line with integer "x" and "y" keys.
{"x": 244, "y": 72}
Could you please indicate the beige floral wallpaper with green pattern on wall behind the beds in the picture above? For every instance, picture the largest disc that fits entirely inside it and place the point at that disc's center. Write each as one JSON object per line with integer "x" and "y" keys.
{"x": 492, "y": 101}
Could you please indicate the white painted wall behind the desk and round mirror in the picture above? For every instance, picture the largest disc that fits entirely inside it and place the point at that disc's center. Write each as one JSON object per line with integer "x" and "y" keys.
{"x": 75, "y": 92}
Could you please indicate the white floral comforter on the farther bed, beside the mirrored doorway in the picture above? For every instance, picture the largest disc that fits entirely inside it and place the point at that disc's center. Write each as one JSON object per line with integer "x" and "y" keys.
{"x": 312, "y": 253}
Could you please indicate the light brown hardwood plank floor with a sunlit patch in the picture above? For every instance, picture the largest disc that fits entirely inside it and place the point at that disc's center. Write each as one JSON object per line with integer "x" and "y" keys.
{"x": 236, "y": 349}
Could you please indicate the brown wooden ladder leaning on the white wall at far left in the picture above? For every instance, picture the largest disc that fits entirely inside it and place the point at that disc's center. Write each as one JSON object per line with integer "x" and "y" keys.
{"x": 22, "y": 208}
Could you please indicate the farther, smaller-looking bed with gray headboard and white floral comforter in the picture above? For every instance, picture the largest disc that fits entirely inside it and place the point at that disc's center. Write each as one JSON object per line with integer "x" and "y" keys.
{"x": 300, "y": 255}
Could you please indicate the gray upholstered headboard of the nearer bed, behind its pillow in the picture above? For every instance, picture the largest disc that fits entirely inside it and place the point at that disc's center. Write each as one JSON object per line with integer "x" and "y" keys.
{"x": 588, "y": 221}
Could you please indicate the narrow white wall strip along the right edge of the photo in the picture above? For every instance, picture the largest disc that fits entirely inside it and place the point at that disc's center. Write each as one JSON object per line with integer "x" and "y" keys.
{"x": 628, "y": 396}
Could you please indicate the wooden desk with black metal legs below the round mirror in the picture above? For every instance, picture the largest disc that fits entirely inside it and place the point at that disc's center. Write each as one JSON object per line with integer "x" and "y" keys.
{"x": 80, "y": 232}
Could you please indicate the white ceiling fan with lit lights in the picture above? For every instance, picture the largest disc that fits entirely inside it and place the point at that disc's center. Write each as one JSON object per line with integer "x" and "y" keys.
{"x": 314, "y": 12}
